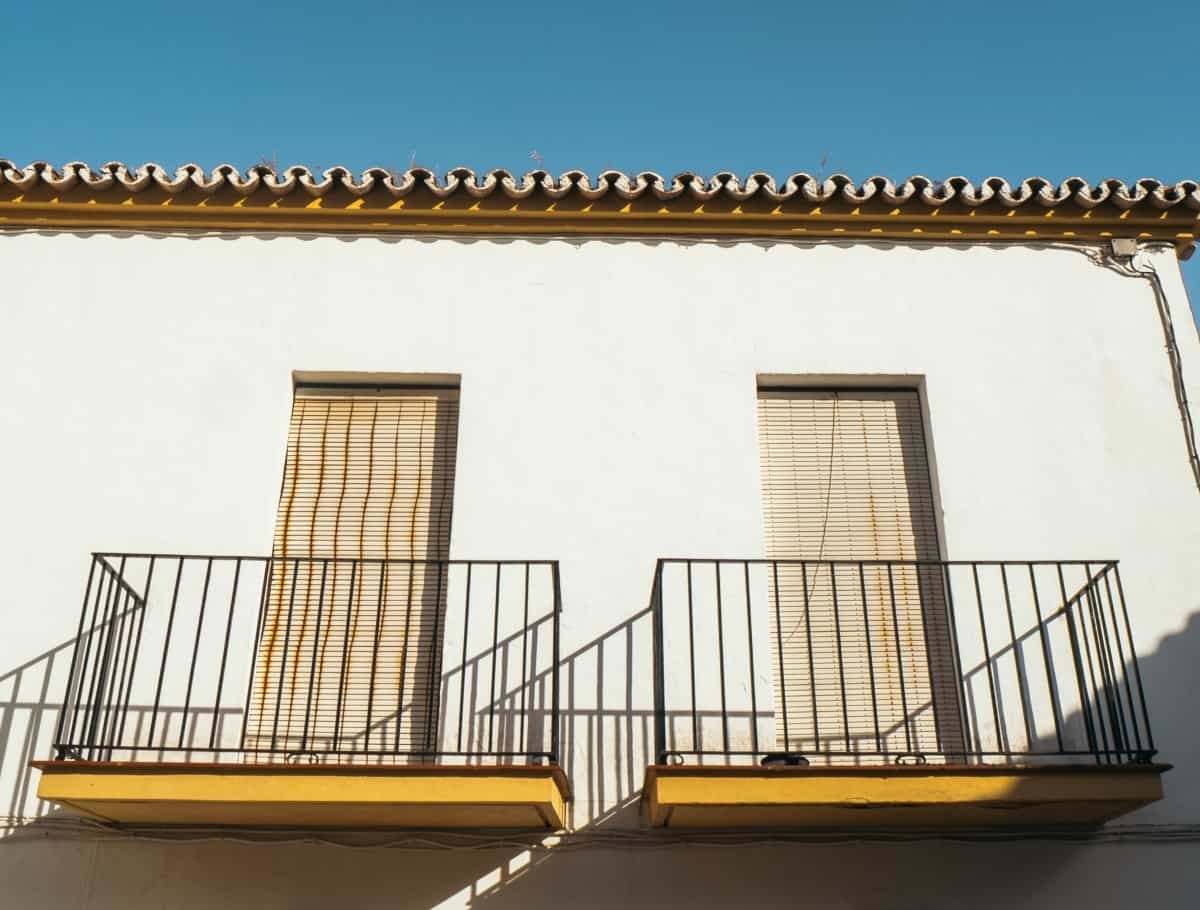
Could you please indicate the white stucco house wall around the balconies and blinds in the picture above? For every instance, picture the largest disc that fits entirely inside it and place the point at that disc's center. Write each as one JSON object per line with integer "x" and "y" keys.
{"x": 608, "y": 420}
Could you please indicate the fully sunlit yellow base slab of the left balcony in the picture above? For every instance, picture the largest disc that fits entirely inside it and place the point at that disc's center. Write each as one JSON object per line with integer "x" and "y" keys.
{"x": 529, "y": 797}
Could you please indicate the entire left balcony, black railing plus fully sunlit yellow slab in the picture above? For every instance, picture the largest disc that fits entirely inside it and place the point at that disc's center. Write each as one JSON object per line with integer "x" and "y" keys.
{"x": 319, "y": 693}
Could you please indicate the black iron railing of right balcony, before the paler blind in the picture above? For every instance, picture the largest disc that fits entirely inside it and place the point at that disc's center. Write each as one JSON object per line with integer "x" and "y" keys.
{"x": 860, "y": 662}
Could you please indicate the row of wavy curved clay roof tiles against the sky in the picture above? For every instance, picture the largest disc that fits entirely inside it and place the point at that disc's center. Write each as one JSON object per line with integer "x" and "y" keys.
{"x": 1071, "y": 193}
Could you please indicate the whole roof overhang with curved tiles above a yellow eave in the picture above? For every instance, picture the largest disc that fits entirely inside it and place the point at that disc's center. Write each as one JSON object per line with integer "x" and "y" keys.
{"x": 613, "y": 205}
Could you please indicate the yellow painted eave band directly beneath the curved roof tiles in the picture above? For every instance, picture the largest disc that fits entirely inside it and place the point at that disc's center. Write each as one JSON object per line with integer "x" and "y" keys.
{"x": 416, "y": 215}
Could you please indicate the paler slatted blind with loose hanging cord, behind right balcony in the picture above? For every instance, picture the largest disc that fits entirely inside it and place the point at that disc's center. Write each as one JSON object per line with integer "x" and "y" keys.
{"x": 862, "y": 660}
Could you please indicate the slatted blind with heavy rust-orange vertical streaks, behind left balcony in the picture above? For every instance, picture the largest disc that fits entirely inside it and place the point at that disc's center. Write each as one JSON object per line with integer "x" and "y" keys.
{"x": 349, "y": 652}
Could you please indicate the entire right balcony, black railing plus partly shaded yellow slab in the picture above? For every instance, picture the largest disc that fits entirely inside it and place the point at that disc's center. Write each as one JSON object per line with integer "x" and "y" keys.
{"x": 896, "y": 695}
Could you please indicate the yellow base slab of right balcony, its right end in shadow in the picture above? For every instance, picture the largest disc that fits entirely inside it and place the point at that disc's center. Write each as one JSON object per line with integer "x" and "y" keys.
{"x": 896, "y": 797}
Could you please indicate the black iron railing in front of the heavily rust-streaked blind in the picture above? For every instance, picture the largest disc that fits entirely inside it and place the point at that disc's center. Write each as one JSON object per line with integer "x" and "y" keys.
{"x": 273, "y": 660}
